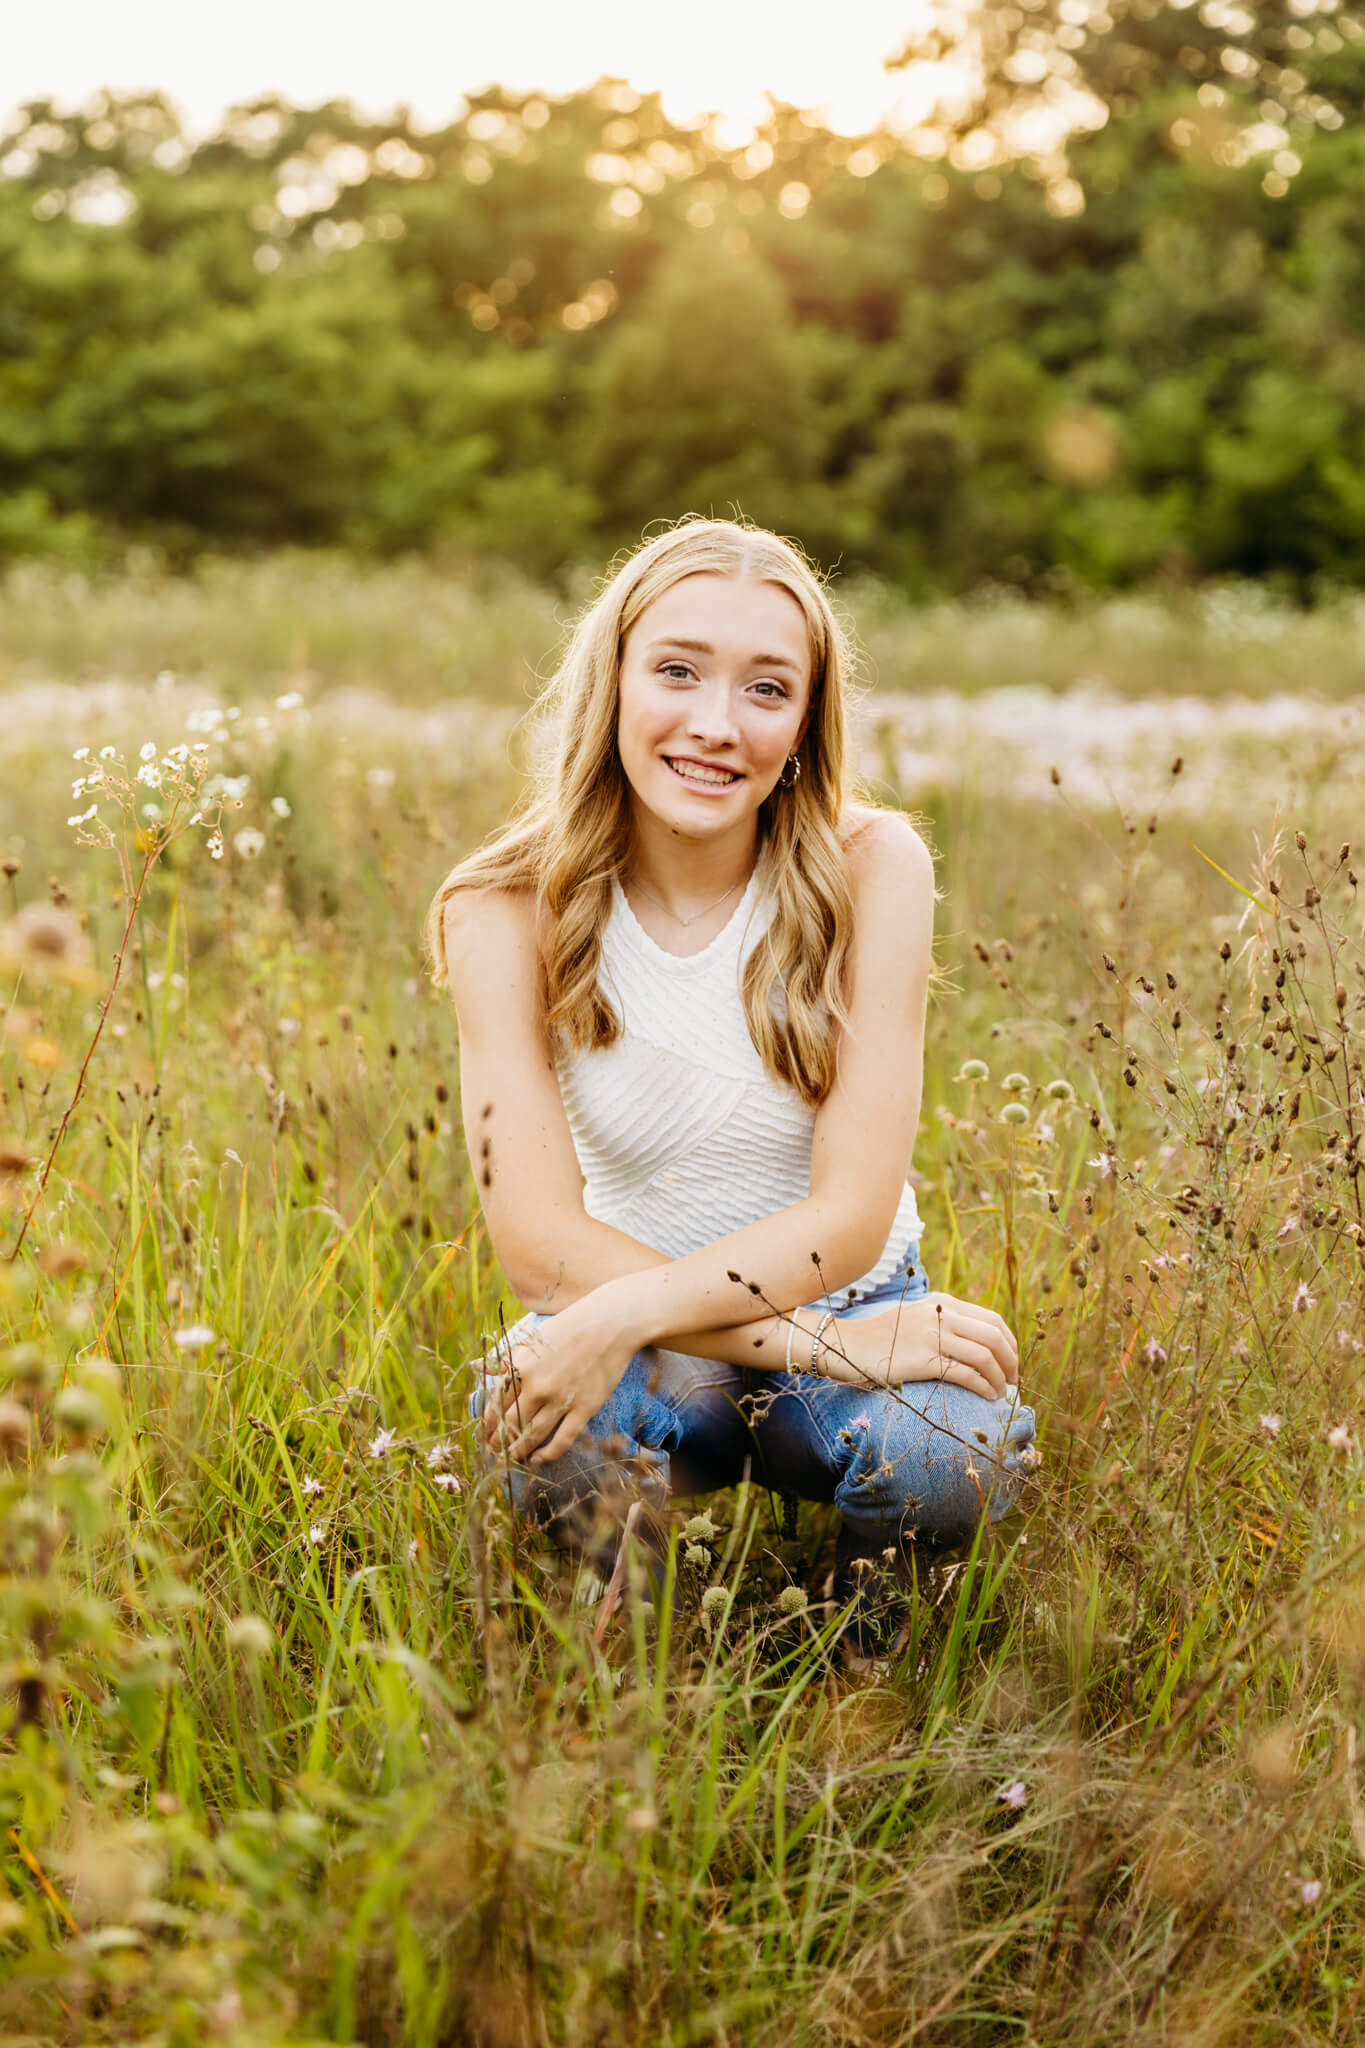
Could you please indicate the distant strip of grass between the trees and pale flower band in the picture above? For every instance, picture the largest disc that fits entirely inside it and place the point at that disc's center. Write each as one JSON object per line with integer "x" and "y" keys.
{"x": 427, "y": 632}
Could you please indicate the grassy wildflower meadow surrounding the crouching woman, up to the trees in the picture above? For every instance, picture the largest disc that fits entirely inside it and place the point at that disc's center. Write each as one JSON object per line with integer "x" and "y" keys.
{"x": 306, "y": 1744}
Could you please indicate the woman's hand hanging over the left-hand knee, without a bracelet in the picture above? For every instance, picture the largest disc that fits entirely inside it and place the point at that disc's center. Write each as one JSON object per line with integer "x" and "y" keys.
{"x": 554, "y": 1383}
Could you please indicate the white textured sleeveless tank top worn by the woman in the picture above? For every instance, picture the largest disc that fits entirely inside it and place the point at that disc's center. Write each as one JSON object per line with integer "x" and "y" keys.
{"x": 680, "y": 1134}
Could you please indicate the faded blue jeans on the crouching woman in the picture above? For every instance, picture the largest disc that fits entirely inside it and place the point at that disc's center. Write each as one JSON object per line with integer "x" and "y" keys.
{"x": 920, "y": 1461}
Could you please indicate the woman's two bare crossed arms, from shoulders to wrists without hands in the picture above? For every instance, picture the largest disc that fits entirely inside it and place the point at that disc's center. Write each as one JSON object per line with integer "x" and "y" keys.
{"x": 519, "y": 1136}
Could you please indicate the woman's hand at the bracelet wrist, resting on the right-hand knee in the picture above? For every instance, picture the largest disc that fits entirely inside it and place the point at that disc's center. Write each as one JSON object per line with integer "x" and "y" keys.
{"x": 934, "y": 1338}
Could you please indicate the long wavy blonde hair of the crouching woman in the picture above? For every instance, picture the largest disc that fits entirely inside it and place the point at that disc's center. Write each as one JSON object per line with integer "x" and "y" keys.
{"x": 572, "y": 830}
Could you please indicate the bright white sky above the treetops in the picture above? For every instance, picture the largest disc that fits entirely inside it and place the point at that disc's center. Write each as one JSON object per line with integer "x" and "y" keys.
{"x": 703, "y": 54}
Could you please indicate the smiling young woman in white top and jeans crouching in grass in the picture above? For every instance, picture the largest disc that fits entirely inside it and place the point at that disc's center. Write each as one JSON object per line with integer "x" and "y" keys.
{"x": 691, "y": 984}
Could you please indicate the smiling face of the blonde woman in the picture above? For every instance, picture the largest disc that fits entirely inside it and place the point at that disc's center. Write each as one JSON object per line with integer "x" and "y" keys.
{"x": 715, "y": 691}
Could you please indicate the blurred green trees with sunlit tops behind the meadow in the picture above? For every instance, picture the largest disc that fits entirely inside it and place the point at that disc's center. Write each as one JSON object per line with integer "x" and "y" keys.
{"x": 985, "y": 351}
